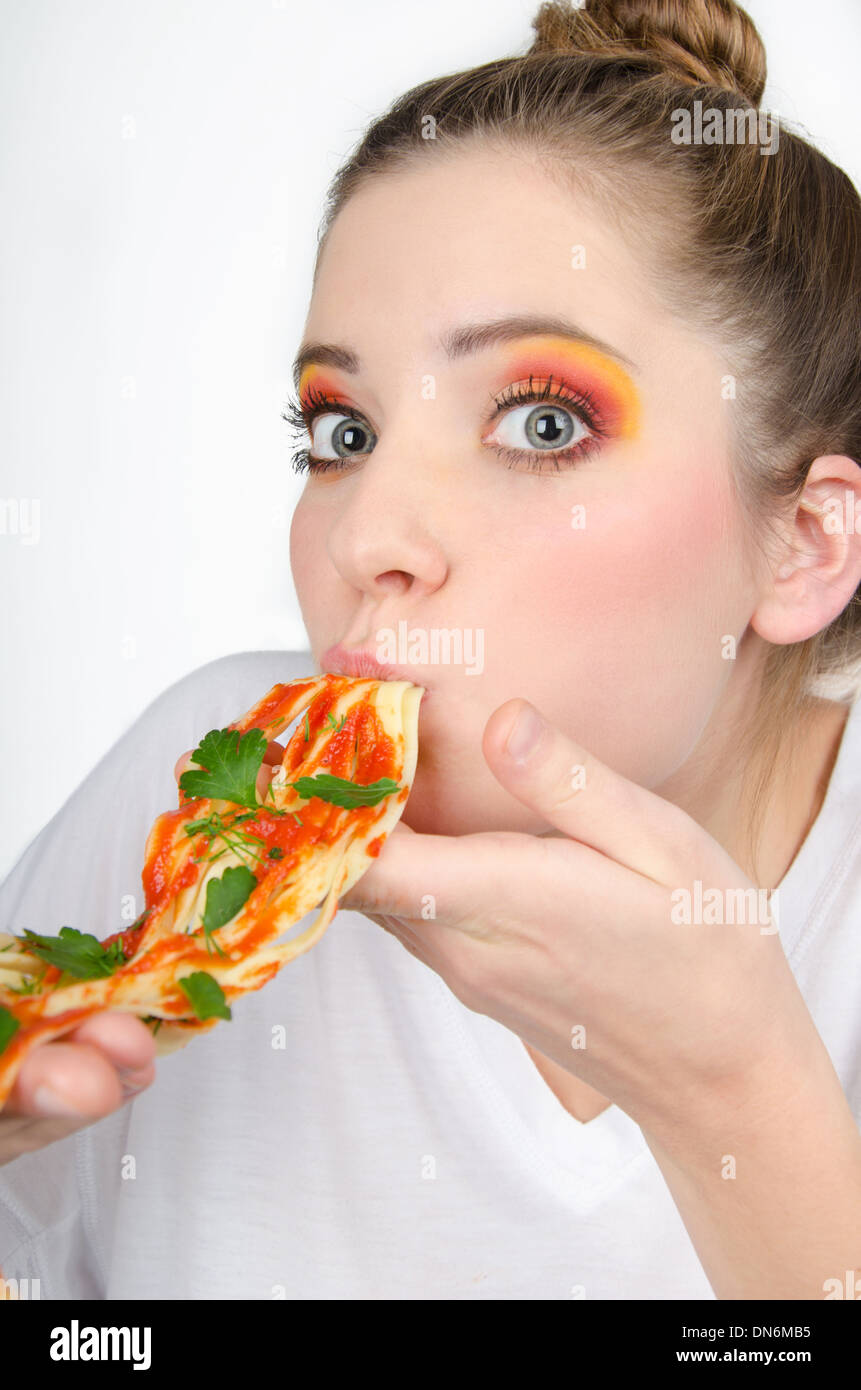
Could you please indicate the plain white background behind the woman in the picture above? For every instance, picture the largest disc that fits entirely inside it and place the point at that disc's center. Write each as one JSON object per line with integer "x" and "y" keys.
{"x": 163, "y": 167}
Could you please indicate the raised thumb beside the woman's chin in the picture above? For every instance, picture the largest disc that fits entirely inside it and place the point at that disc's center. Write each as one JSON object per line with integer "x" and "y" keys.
{"x": 584, "y": 797}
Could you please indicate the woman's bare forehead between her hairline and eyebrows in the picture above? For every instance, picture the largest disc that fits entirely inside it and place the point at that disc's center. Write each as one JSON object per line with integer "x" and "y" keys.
{"x": 476, "y": 236}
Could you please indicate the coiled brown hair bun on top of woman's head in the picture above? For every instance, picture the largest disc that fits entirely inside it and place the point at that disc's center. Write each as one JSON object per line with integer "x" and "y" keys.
{"x": 713, "y": 42}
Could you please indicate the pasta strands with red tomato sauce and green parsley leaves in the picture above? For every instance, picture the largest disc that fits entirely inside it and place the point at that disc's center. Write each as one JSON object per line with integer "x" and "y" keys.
{"x": 227, "y": 875}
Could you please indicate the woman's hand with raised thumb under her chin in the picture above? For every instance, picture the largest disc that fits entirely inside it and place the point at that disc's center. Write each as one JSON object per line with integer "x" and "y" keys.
{"x": 571, "y": 940}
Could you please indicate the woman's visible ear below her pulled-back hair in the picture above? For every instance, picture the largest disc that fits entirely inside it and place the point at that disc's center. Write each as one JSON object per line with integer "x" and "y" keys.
{"x": 819, "y": 568}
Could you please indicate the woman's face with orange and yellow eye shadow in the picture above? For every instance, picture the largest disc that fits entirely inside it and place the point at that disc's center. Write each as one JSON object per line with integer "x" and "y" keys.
{"x": 597, "y": 568}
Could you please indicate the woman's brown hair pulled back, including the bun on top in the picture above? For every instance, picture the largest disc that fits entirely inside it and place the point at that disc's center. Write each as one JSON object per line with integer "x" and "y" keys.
{"x": 764, "y": 255}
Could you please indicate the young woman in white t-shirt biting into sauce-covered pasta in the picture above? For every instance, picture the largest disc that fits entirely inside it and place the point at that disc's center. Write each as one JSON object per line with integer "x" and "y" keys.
{"x": 582, "y": 387}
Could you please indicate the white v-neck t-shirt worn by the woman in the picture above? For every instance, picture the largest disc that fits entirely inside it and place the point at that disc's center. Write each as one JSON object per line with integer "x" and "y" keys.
{"x": 400, "y": 1146}
